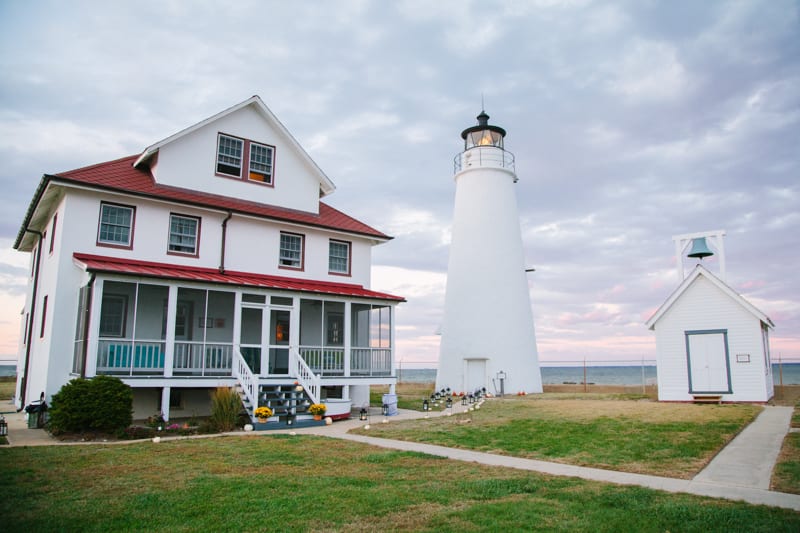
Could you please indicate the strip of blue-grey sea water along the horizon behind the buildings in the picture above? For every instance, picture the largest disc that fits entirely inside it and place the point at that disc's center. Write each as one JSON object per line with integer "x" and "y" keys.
{"x": 600, "y": 375}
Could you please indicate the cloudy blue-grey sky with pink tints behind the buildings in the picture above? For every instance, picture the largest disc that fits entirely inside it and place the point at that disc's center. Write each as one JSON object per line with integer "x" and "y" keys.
{"x": 631, "y": 122}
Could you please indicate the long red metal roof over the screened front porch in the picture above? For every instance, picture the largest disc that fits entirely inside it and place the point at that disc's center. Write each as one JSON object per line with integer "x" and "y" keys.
{"x": 97, "y": 263}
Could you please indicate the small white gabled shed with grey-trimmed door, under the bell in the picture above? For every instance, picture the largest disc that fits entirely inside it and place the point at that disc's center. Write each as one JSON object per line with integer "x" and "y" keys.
{"x": 711, "y": 344}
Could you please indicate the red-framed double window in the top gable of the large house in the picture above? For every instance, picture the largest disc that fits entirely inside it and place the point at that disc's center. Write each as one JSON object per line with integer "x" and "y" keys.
{"x": 234, "y": 154}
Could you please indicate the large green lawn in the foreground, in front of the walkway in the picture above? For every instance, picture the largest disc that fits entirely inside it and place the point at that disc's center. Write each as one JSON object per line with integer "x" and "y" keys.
{"x": 304, "y": 483}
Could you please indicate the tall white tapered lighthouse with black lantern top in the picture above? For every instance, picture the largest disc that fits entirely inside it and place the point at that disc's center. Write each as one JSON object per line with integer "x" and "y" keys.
{"x": 488, "y": 339}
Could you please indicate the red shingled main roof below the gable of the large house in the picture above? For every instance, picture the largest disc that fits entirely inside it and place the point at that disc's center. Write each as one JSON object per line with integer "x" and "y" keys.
{"x": 121, "y": 175}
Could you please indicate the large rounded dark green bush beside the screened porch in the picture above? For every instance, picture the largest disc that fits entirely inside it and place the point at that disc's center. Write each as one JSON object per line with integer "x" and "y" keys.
{"x": 103, "y": 403}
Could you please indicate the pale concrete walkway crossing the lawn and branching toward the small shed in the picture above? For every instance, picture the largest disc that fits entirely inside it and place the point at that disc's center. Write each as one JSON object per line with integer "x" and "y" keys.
{"x": 732, "y": 475}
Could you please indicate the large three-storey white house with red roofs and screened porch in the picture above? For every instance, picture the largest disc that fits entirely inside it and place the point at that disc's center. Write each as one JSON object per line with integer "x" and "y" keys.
{"x": 207, "y": 260}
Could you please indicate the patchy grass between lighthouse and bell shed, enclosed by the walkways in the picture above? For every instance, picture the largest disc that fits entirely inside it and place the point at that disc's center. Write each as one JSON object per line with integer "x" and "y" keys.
{"x": 673, "y": 440}
